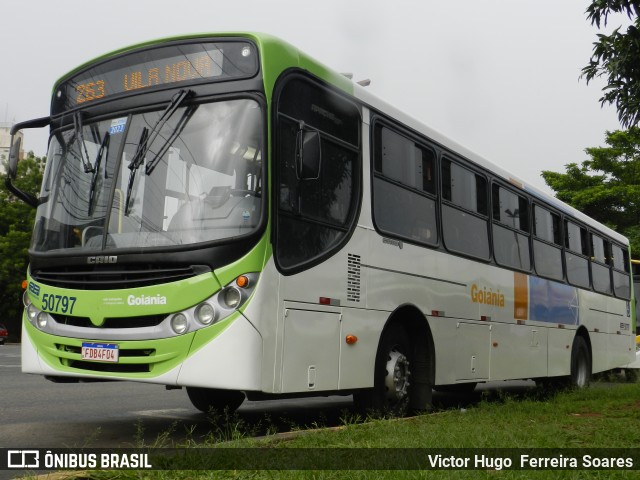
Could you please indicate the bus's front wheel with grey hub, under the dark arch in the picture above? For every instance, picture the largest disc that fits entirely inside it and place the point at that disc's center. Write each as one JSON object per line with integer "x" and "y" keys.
{"x": 392, "y": 386}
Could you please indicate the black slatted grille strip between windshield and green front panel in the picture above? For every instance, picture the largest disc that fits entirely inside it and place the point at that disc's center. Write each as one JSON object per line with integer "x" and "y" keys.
{"x": 115, "y": 277}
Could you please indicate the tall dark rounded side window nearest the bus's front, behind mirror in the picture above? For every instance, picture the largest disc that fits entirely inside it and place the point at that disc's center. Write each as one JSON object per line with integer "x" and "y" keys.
{"x": 315, "y": 211}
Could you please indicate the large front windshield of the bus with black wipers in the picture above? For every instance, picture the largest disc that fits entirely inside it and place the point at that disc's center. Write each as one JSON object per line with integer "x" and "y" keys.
{"x": 200, "y": 180}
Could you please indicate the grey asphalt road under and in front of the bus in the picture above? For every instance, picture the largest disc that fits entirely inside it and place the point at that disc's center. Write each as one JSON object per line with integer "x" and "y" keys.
{"x": 36, "y": 413}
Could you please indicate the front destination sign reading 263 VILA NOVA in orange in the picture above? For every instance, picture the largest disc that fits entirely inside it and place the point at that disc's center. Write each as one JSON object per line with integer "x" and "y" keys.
{"x": 155, "y": 67}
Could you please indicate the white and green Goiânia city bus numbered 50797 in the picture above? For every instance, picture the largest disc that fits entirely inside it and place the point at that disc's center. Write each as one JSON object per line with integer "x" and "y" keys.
{"x": 225, "y": 214}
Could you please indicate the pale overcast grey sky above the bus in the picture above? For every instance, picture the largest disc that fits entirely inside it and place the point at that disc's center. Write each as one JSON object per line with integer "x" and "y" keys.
{"x": 500, "y": 77}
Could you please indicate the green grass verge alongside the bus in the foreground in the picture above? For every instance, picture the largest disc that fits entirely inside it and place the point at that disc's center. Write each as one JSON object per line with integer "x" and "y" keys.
{"x": 603, "y": 416}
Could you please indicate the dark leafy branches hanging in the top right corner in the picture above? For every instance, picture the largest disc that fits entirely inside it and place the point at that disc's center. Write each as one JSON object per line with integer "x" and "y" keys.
{"x": 617, "y": 57}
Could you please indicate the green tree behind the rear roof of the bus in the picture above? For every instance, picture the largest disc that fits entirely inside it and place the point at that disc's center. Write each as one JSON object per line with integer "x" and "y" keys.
{"x": 607, "y": 186}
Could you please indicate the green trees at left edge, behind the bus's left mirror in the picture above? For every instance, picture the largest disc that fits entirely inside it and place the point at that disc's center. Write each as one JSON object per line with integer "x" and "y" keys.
{"x": 16, "y": 224}
